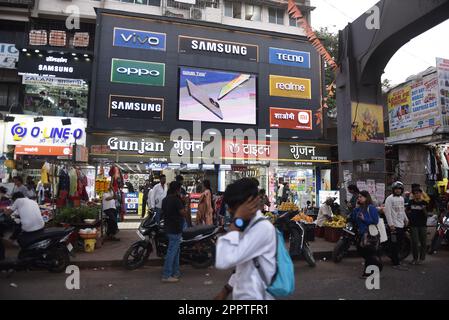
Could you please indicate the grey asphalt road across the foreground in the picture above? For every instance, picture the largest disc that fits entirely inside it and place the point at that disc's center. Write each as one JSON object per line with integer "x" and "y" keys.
{"x": 326, "y": 281}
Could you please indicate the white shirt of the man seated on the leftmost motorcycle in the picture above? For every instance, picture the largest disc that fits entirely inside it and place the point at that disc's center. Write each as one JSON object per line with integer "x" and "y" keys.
{"x": 29, "y": 213}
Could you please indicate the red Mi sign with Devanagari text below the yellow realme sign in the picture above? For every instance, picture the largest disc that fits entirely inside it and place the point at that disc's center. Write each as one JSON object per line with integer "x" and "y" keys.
{"x": 297, "y": 119}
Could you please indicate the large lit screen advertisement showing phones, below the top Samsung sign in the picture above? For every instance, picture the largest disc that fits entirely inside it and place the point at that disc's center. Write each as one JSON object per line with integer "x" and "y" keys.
{"x": 217, "y": 96}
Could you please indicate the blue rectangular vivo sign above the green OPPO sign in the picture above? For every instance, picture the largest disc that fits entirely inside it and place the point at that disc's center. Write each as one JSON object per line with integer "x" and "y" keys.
{"x": 139, "y": 39}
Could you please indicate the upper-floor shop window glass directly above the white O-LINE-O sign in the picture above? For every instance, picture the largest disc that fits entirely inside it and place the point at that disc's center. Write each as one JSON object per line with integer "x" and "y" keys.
{"x": 56, "y": 100}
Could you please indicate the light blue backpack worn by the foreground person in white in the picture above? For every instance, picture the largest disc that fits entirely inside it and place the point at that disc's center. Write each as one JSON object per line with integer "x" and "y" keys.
{"x": 283, "y": 282}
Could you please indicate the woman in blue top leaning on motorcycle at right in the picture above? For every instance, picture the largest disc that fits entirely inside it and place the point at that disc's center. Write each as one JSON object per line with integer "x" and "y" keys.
{"x": 363, "y": 216}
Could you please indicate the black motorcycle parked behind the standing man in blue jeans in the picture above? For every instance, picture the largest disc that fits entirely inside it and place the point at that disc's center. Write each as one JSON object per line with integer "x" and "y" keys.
{"x": 197, "y": 244}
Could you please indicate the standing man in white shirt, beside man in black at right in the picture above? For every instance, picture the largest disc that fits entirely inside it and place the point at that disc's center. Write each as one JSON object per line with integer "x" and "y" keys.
{"x": 397, "y": 221}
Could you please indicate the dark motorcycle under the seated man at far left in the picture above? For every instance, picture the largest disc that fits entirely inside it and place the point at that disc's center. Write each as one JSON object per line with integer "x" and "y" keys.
{"x": 49, "y": 248}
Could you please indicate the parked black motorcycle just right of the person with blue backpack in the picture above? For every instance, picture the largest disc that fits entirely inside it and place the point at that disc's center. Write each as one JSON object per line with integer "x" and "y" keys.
{"x": 295, "y": 232}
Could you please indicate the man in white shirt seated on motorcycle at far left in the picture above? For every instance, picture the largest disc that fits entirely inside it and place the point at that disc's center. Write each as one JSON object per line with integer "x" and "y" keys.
{"x": 30, "y": 216}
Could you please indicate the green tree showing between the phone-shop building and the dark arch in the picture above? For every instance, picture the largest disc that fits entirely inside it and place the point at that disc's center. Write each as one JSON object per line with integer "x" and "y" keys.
{"x": 330, "y": 42}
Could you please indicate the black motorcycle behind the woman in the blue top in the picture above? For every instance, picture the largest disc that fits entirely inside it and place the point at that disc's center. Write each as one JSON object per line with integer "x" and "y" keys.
{"x": 350, "y": 238}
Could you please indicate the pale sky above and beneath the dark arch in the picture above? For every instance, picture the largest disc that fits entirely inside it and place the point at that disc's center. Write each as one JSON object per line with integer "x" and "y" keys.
{"x": 414, "y": 57}
